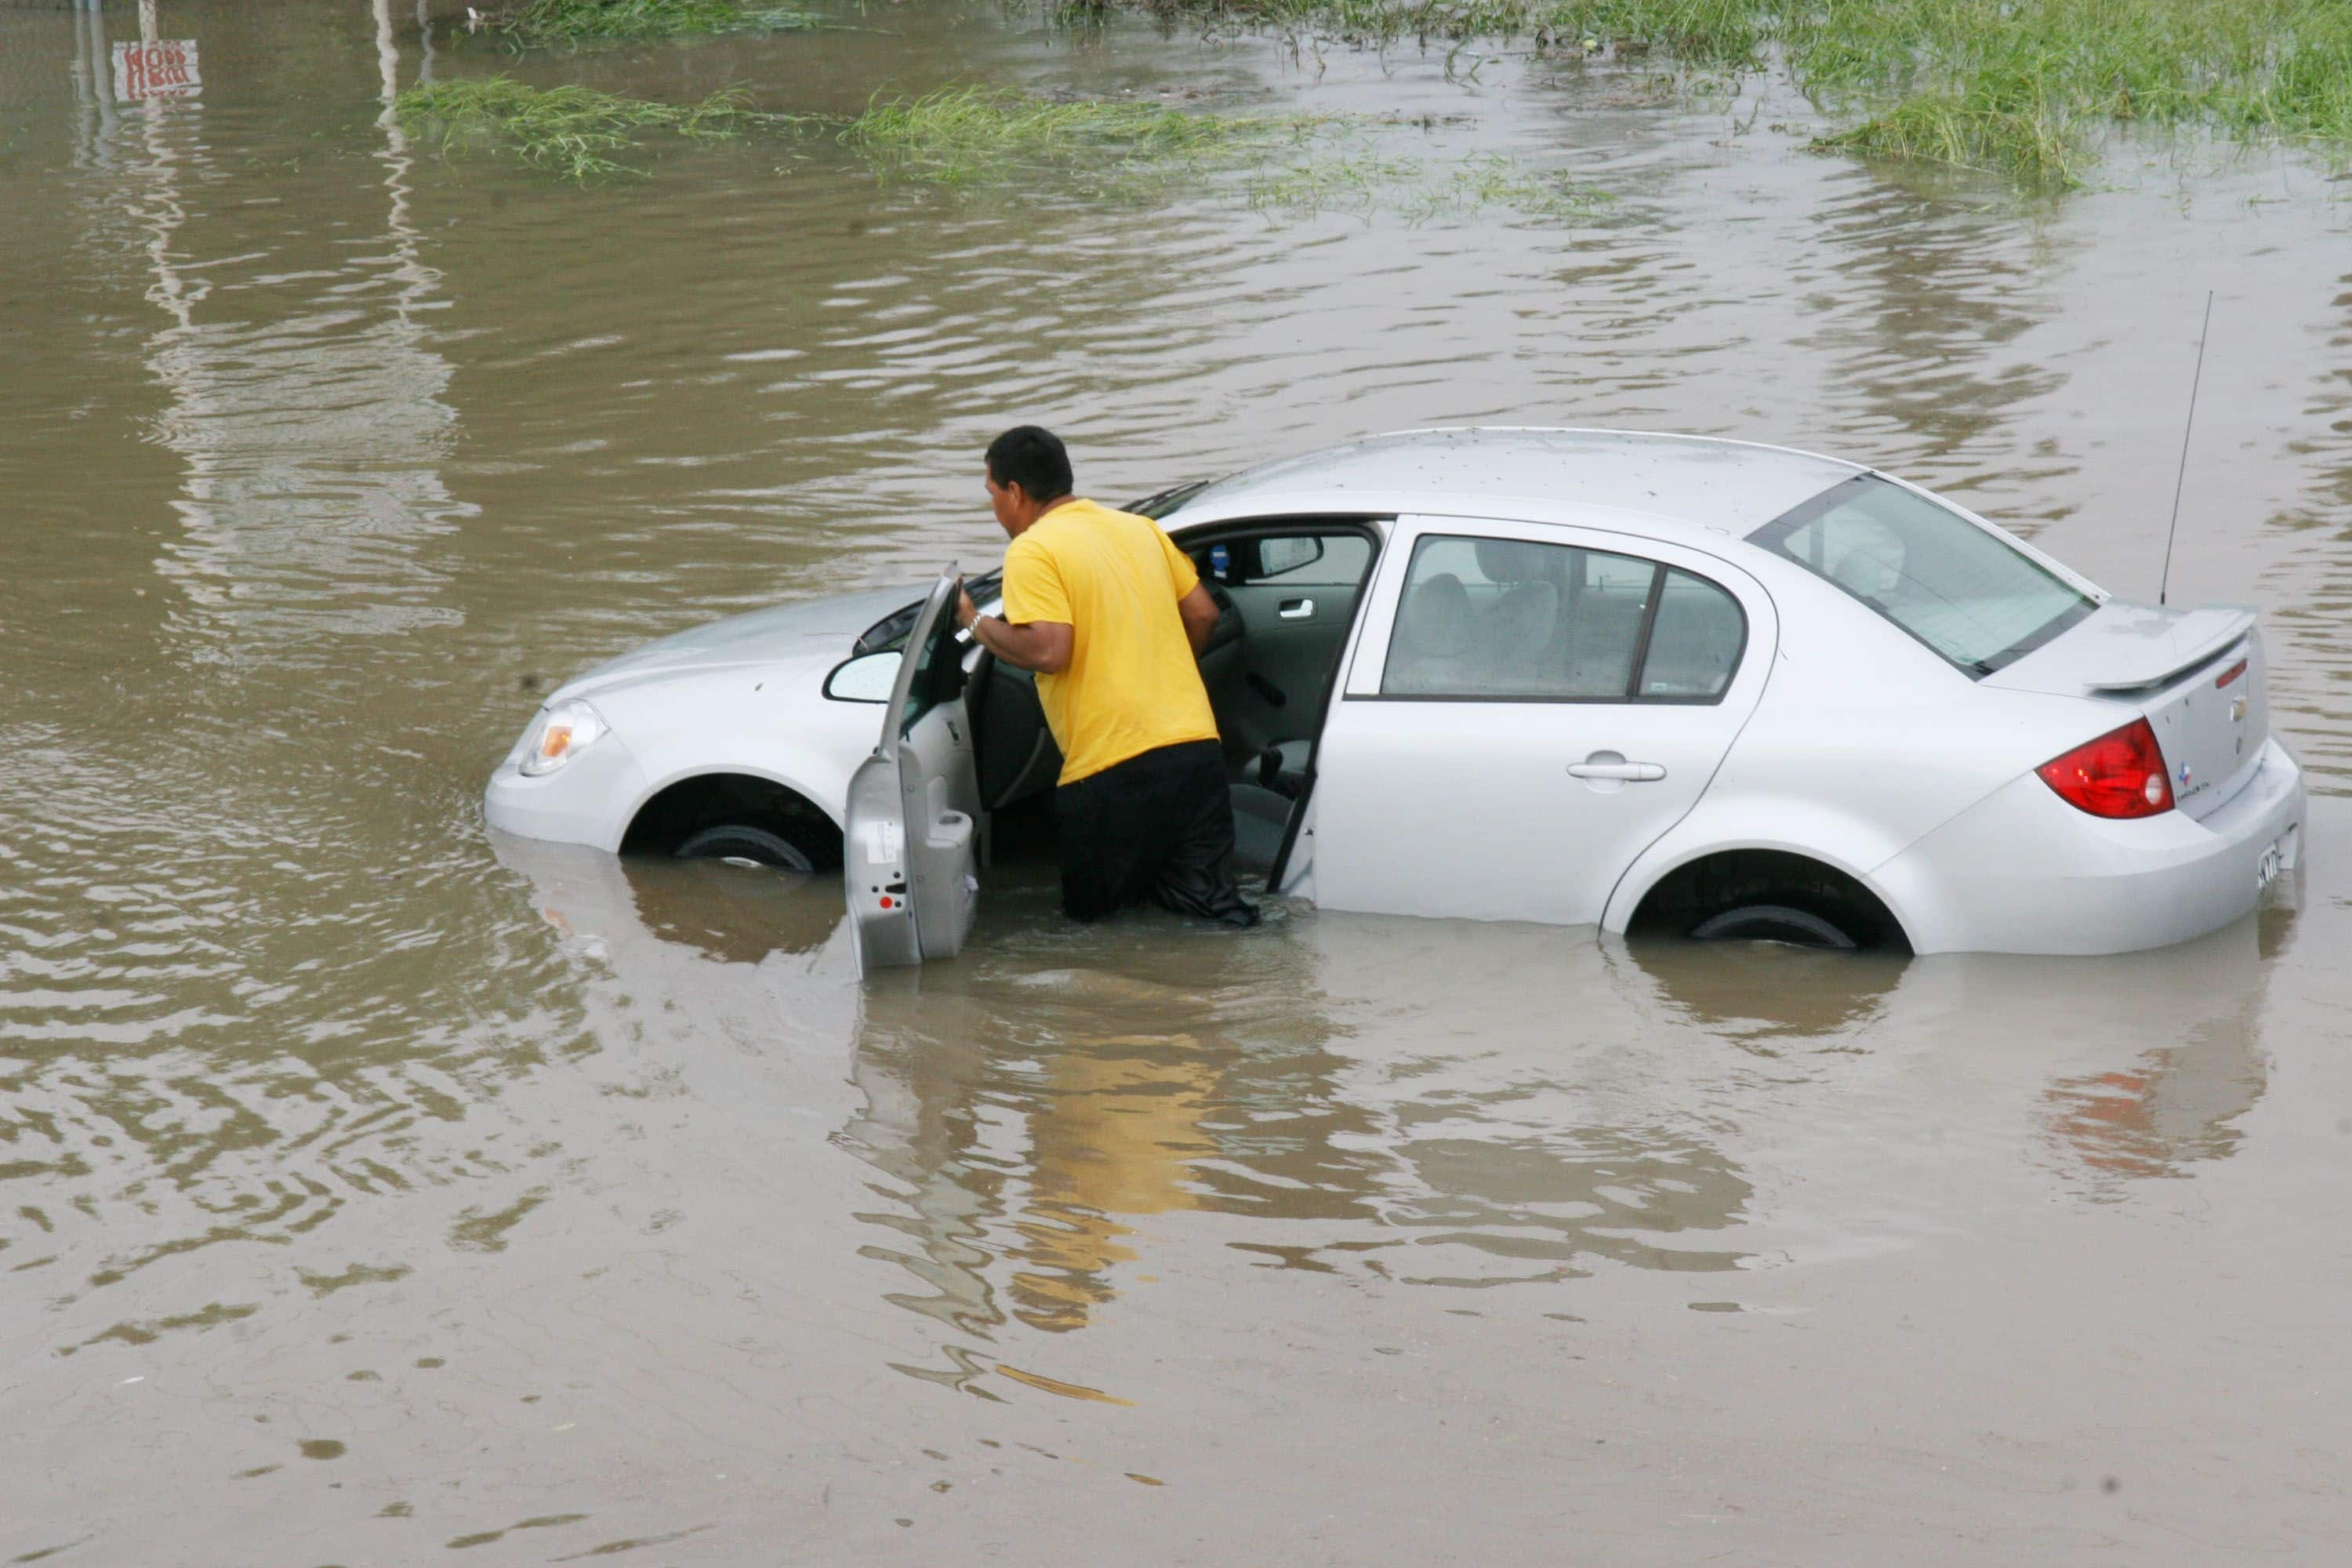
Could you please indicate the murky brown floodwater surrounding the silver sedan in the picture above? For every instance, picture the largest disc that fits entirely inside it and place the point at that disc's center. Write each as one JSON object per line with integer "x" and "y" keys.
{"x": 377, "y": 1193}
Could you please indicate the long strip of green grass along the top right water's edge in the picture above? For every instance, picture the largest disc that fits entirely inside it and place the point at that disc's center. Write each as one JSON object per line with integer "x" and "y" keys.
{"x": 2007, "y": 86}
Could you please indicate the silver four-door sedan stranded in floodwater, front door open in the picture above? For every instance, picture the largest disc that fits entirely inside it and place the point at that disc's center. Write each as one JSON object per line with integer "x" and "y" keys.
{"x": 1648, "y": 683}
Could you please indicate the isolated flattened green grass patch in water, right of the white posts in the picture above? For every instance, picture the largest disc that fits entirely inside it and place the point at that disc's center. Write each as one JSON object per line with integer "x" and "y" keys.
{"x": 568, "y": 130}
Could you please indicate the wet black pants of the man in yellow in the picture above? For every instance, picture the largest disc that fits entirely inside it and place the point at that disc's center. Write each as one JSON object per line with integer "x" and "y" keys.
{"x": 1156, "y": 826}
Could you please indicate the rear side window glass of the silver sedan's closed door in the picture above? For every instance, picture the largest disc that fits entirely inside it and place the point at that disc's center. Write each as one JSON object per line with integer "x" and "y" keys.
{"x": 1509, "y": 619}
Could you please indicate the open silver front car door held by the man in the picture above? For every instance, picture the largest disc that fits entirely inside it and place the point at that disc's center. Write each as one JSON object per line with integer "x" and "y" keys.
{"x": 911, "y": 833}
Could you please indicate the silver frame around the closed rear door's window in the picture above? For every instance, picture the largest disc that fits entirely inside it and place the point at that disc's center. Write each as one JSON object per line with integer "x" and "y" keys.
{"x": 1377, "y": 612}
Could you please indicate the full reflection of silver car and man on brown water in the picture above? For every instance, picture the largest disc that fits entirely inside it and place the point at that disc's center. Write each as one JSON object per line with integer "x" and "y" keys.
{"x": 1050, "y": 1139}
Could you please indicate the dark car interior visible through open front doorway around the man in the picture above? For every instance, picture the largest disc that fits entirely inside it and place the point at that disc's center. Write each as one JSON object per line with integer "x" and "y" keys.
{"x": 1285, "y": 594}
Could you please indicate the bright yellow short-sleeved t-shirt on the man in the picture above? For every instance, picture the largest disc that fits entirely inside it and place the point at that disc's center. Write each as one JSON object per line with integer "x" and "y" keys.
{"x": 1132, "y": 683}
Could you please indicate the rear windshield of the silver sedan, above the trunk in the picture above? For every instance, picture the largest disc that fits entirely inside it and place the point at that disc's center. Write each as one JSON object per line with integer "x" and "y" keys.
{"x": 1967, "y": 594}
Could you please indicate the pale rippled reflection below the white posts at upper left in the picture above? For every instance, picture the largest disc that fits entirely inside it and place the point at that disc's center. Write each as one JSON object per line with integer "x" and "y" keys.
{"x": 314, "y": 427}
